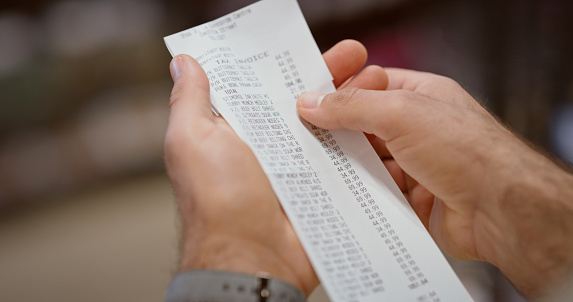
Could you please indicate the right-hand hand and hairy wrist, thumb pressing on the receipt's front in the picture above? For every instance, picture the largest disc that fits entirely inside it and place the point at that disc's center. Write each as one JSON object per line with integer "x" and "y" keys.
{"x": 482, "y": 193}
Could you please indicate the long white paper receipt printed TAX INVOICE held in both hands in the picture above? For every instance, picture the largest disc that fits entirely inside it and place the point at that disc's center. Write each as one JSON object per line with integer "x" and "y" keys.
{"x": 360, "y": 234}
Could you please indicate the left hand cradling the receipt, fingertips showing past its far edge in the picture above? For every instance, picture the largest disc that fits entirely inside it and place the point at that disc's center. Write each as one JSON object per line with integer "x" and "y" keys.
{"x": 231, "y": 218}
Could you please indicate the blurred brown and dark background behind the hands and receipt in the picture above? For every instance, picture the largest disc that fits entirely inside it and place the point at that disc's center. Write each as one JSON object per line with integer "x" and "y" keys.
{"x": 86, "y": 211}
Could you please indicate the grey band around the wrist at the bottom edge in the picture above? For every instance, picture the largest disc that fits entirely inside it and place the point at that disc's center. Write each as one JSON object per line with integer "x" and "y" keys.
{"x": 221, "y": 286}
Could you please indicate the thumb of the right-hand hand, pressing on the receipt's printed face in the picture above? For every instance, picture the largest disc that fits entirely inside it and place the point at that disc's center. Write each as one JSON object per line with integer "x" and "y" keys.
{"x": 381, "y": 113}
